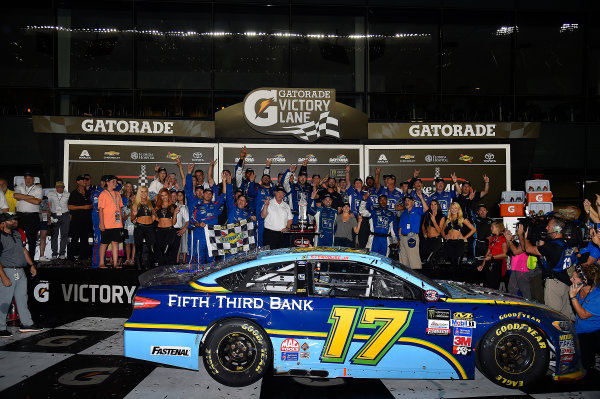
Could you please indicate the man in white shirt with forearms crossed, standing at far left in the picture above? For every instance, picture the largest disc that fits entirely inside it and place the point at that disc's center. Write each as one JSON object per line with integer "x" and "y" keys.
{"x": 29, "y": 197}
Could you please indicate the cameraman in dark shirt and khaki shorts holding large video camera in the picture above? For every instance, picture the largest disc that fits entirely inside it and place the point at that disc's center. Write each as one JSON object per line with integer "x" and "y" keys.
{"x": 556, "y": 258}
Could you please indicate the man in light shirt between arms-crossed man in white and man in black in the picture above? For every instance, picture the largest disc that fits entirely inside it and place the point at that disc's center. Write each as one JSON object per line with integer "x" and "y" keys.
{"x": 58, "y": 201}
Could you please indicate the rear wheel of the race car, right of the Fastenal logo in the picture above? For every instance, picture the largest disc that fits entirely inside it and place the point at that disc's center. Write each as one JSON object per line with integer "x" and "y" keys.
{"x": 237, "y": 352}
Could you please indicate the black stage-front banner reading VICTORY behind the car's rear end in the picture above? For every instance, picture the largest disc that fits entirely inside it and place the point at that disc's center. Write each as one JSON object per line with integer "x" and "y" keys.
{"x": 110, "y": 292}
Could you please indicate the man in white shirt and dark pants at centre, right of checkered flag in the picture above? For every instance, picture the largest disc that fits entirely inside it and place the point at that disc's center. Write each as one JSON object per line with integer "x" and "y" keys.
{"x": 278, "y": 219}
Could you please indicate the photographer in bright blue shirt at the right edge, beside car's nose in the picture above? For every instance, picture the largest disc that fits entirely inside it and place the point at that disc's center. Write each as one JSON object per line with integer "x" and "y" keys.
{"x": 585, "y": 298}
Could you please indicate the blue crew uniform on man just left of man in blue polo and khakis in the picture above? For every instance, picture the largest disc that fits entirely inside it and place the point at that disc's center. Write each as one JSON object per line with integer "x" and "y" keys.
{"x": 382, "y": 223}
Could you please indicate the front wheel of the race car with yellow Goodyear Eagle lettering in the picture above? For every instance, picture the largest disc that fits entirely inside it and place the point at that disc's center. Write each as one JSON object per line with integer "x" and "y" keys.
{"x": 514, "y": 354}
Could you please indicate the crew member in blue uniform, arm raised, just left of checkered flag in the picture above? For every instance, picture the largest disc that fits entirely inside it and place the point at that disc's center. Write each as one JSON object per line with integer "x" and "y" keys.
{"x": 201, "y": 212}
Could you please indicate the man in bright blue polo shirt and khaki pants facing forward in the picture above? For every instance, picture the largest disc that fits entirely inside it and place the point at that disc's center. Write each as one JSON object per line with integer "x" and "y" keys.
{"x": 408, "y": 229}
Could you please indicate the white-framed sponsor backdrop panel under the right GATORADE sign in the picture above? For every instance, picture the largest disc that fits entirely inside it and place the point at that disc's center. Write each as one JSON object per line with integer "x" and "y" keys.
{"x": 469, "y": 162}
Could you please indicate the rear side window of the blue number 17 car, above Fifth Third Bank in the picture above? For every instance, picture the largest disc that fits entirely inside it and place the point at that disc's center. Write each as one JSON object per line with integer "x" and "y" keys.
{"x": 271, "y": 278}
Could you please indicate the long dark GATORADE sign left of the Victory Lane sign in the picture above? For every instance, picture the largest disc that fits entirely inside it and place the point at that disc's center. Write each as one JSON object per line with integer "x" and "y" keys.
{"x": 123, "y": 126}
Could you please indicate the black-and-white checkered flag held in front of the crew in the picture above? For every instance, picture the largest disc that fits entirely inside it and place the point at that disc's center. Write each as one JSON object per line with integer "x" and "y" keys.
{"x": 229, "y": 239}
